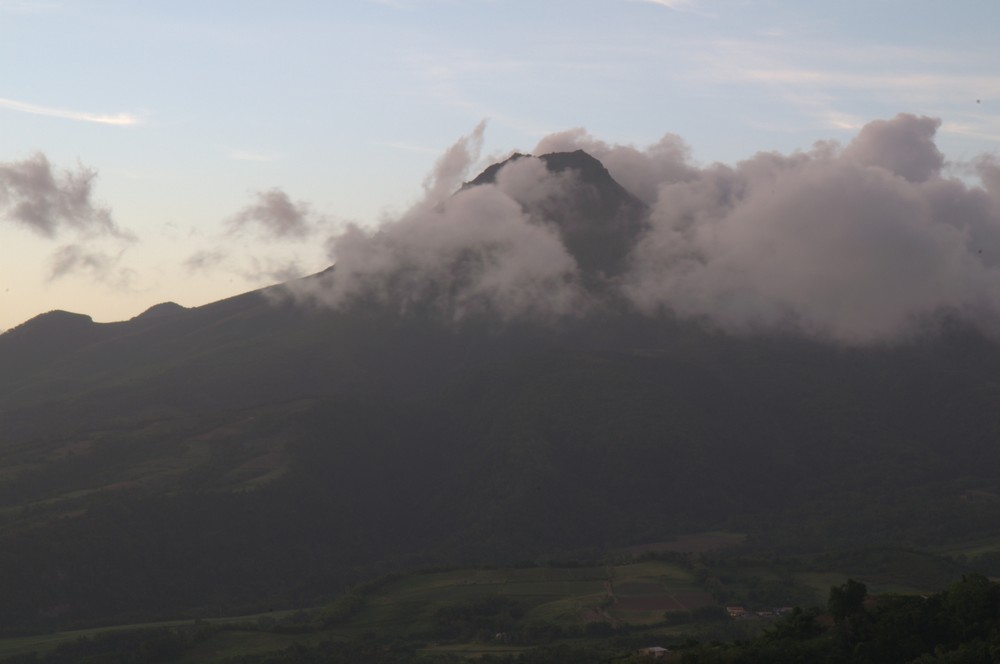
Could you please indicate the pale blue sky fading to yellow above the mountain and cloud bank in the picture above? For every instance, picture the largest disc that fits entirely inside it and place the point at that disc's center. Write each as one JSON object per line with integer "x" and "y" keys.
{"x": 188, "y": 151}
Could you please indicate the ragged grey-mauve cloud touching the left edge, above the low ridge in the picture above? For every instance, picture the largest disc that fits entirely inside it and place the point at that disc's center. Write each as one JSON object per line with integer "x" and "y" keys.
{"x": 34, "y": 195}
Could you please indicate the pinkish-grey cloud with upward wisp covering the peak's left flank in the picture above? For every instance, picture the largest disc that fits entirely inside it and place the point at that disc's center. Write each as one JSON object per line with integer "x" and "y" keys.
{"x": 458, "y": 254}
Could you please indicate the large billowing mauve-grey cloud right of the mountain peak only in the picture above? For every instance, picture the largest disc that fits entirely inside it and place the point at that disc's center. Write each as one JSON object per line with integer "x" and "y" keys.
{"x": 862, "y": 244}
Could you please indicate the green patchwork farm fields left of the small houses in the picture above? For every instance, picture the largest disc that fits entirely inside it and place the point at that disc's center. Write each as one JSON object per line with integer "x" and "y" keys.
{"x": 464, "y": 611}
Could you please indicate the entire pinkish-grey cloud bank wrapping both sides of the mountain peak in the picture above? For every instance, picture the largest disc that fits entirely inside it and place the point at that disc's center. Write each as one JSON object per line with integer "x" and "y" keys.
{"x": 863, "y": 243}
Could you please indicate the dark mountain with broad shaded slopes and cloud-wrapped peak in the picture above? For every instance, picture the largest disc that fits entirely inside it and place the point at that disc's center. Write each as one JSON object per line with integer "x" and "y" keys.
{"x": 259, "y": 451}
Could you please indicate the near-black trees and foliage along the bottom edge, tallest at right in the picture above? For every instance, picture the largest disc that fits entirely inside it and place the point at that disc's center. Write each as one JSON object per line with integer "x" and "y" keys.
{"x": 958, "y": 626}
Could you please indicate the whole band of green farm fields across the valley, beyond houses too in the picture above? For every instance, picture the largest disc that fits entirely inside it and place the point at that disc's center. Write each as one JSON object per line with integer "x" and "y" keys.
{"x": 472, "y": 612}
